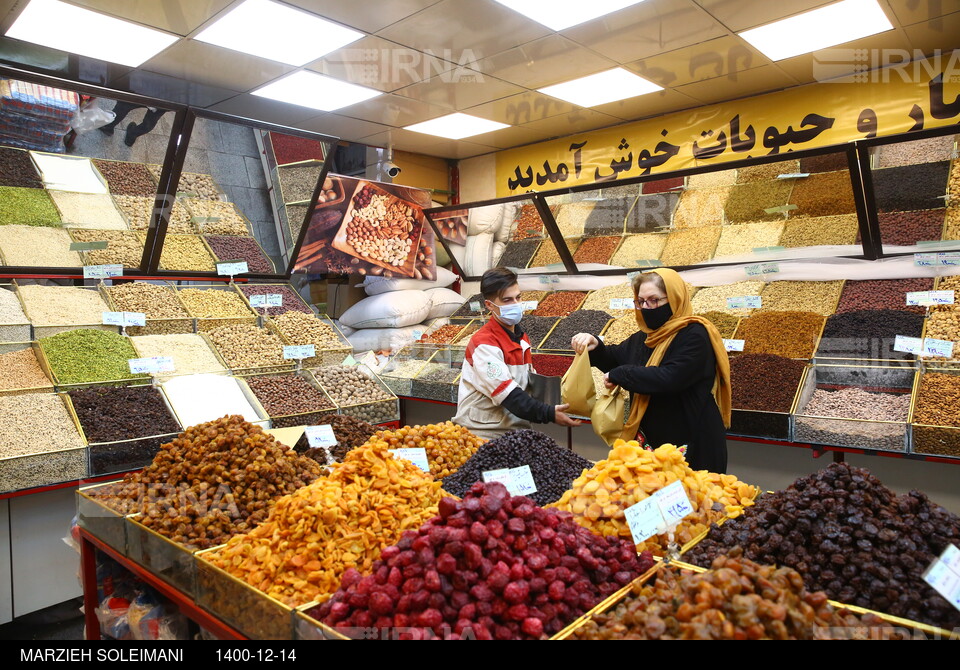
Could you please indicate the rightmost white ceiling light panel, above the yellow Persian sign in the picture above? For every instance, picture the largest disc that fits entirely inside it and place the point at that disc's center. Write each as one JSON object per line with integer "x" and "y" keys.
{"x": 818, "y": 29}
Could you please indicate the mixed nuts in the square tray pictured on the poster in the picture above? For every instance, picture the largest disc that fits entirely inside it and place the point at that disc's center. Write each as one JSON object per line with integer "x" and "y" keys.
{"x": 381, "y": 228}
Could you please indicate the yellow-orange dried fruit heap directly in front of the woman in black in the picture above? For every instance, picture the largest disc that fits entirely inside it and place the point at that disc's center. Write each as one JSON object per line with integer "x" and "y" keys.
{"x": 630, "y": 474}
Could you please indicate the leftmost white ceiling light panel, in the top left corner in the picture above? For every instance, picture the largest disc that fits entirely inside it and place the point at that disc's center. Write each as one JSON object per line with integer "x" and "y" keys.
{"x": 58, "y": 25}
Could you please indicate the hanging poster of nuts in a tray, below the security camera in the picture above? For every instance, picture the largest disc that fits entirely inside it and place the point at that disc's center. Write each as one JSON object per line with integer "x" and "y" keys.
{"x": 377, "y": 229}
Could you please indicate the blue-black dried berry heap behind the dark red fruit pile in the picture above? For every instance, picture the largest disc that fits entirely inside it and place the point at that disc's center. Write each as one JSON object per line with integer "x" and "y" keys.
{"x": 553, "y": 467}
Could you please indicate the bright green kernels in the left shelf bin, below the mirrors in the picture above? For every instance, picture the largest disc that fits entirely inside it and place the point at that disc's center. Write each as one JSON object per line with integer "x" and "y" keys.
{"x": 82, "y": 356}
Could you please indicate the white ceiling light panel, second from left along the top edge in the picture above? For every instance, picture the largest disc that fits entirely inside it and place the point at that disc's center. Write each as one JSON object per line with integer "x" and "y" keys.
{"x": 278, "y": 32}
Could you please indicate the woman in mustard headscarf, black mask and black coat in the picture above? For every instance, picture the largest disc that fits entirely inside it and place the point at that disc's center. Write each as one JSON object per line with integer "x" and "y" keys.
{"x": 676, "y": 369}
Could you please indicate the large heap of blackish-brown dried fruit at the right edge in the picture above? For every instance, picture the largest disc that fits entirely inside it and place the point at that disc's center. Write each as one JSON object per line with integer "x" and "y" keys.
{"x": 849, "y": 536}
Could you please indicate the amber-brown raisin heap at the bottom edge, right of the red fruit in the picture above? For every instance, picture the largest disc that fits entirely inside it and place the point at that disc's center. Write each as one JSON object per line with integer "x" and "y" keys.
{"x": 770, "y": 603}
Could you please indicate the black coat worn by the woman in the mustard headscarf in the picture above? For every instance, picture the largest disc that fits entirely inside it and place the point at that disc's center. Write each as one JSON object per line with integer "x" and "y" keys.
{"x": 682, "y": 409}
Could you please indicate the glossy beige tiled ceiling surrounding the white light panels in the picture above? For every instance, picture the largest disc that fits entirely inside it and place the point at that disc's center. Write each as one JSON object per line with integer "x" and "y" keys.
{"x": 434, "y": 57}
